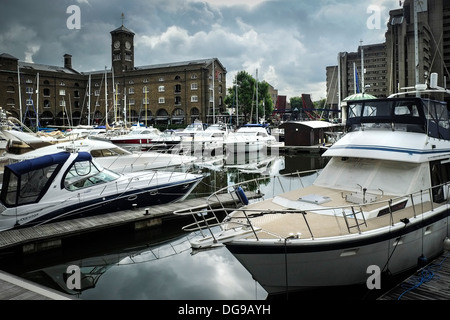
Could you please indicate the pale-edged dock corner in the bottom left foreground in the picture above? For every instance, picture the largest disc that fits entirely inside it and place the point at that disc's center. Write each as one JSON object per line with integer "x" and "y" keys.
{"x": 15, "y": 288}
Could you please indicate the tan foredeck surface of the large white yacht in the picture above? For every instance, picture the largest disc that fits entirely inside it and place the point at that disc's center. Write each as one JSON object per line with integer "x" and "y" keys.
{"x": 311, "y": 223}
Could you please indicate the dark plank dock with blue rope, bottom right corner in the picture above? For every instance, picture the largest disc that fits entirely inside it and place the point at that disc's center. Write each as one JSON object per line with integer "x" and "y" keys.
{"x": 429, "y": 283}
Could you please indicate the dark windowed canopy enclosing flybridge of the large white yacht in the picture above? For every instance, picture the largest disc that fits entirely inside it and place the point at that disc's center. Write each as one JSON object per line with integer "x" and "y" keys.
{"x": 406, "y": 114}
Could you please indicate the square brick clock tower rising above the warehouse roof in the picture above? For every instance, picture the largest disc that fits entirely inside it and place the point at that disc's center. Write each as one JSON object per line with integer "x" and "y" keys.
{"x": 122, "y": 50}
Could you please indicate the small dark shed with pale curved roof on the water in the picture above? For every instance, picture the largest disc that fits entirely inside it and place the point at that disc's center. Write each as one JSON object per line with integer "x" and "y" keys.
{"x": 308, "y": 133}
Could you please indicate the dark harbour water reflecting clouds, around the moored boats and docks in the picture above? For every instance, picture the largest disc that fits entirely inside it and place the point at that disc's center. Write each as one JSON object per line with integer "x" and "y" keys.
{"x": 158, "y": 264}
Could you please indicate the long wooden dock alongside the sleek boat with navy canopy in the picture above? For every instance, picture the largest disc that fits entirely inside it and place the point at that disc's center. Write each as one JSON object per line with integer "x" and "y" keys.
{"x": 51, "y": 235}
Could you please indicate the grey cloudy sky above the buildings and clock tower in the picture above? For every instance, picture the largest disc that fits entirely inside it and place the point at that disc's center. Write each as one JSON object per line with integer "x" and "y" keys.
{"x": 289, "y": 42}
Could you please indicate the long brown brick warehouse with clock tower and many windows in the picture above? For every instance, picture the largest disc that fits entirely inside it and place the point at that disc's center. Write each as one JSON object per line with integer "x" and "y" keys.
{"x": 178, "y": 92}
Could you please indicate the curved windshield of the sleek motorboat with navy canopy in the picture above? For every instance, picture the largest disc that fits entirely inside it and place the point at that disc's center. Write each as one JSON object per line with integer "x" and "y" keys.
{"x": 85, "y": 174}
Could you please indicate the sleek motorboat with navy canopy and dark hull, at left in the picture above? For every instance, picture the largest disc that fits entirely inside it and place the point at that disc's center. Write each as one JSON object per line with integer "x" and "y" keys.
{"x": 67, "y": 185}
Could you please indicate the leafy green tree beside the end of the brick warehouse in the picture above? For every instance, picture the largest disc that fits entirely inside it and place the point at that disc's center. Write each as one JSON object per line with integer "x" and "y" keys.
{"x": 247, "y": 98}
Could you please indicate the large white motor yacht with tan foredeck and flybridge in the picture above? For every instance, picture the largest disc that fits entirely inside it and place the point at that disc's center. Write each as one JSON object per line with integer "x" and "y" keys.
{"x": 381, "y": 201}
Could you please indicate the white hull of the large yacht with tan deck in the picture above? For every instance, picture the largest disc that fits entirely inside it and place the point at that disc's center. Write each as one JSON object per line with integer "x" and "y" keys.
{"x": 299, "y": 265}
